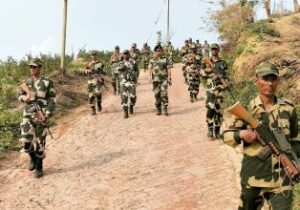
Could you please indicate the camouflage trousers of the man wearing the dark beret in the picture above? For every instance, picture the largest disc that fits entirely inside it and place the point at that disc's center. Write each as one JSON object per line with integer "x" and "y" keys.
{"x": 160, "y": 90}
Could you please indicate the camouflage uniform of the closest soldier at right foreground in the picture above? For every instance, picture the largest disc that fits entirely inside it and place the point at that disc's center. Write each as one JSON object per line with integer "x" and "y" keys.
{"x": 263, "y": 178}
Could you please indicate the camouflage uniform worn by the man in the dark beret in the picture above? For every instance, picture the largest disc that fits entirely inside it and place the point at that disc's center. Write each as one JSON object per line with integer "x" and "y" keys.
{"x": 159, "y": 68}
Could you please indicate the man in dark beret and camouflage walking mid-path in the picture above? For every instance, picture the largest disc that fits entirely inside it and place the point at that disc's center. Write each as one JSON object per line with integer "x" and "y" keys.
{"x": 161, "y": 78}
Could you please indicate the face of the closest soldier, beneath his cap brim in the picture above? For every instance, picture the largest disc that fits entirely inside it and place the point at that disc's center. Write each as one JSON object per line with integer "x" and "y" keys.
{"x": 267, "y": 85}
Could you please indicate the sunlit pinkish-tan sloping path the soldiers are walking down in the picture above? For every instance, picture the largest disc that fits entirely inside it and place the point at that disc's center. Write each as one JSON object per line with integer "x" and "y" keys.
{"x": 144, "y": 162}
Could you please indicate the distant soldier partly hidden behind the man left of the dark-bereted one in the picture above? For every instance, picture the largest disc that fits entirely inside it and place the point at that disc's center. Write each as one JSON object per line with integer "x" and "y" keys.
{"x": 116, "y": 57}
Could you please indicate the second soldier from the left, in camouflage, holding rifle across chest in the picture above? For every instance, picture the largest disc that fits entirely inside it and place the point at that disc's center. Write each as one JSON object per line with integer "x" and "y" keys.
{"x": 95, "y": 83}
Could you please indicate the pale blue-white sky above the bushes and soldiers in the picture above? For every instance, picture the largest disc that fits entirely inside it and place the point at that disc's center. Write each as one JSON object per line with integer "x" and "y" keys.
{"x": 34, "y": 26}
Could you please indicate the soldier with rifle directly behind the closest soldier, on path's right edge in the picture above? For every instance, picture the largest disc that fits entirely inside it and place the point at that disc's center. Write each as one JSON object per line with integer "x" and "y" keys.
{"x": 216, "y": 75}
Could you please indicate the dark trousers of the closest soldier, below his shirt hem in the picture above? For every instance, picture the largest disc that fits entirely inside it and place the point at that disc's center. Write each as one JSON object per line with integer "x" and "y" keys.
{"x": 252, "y": 198}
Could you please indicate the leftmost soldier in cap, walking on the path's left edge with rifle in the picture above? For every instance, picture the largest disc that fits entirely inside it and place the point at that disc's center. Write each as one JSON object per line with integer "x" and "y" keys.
{"x": 38, "y": 94}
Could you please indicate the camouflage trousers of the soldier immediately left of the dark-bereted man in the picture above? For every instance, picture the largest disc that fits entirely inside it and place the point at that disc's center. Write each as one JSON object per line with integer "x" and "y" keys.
{"x": 128, "y": 90}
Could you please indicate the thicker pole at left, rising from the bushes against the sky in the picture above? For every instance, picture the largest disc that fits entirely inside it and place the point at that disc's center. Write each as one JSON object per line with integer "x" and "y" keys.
{"x": 64, "y": 34}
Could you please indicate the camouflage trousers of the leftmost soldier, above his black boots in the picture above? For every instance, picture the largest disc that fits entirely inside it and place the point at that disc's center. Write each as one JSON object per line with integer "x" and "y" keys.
{"x": 33, "y": 137}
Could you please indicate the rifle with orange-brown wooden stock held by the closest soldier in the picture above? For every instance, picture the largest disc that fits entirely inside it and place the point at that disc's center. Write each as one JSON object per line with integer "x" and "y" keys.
{"x": 266, "y": 138}
